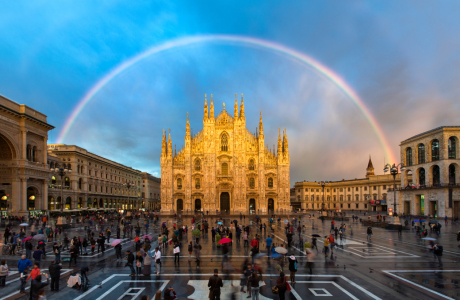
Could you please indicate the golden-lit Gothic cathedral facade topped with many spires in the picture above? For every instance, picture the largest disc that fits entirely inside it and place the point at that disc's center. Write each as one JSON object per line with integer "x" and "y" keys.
{"x": 225, "y": 168}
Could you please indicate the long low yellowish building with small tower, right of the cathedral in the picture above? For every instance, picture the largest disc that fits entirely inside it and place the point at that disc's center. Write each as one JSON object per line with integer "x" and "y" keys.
{"x": 369, "y": 193}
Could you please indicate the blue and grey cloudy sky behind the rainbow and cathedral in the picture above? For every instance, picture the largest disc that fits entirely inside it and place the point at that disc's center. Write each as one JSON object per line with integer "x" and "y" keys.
{"x": 401, "y": 57}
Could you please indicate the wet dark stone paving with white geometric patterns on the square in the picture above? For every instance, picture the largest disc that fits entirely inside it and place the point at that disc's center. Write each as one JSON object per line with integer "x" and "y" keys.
{"x": 385, "y": 267}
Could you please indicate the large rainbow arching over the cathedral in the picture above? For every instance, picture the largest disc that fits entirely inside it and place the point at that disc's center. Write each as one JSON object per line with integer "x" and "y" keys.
{"x": 238, "y": 40}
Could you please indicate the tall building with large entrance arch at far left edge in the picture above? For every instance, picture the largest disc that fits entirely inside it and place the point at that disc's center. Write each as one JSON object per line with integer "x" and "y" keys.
{"x": 23, "y": 163}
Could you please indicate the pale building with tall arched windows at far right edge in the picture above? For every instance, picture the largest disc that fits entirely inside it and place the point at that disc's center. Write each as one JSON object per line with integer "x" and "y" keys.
{"x": 430, "y": 180}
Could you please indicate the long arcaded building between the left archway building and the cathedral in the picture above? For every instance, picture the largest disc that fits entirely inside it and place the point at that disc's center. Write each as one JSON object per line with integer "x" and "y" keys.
{"x": 94, "y": 183}
